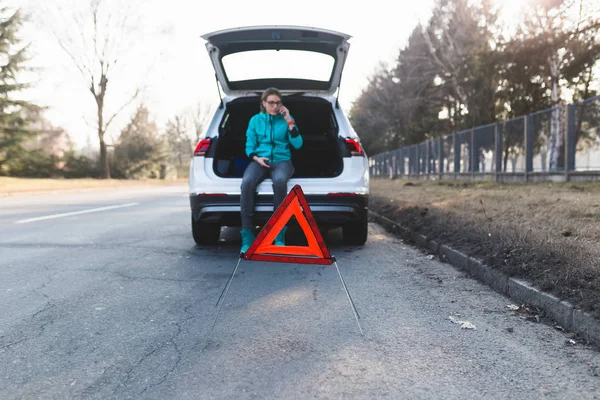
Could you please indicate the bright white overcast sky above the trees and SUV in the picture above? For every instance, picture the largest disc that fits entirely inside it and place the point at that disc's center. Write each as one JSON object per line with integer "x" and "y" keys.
{"x": 168, "y": 56}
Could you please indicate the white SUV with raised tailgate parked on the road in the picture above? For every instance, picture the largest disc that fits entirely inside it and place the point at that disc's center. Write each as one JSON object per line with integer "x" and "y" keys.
{"x": 306, "y": 65}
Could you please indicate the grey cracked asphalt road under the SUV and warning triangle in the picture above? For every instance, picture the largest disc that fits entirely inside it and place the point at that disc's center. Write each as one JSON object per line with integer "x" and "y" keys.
{"x": 104, "y": 295}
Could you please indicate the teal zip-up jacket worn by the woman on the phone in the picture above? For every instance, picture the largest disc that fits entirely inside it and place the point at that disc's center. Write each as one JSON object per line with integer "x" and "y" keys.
{"x": 269, "y": 136}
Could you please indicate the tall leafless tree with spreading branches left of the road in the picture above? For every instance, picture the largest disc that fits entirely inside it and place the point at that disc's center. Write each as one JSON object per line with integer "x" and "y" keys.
{"x": 97, "y": 38}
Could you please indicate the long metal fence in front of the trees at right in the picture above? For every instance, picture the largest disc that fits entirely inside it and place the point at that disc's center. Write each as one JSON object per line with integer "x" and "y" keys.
{"x": 560, "y": 143}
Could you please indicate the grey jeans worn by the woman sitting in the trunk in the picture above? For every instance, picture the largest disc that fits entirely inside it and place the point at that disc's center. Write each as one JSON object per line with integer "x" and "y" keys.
{"x": 280, "y": 173}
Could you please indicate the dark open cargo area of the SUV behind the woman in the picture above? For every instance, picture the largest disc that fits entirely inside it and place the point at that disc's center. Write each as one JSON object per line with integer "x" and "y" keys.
{"x": 321, "y": 155}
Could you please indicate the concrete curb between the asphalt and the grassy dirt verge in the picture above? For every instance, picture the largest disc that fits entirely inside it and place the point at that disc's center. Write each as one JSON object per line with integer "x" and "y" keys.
{"x": 562, "y": 312}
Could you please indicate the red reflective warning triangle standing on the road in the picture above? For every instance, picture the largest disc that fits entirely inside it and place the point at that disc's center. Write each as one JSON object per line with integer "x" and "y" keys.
{"x": 262, "y": 249}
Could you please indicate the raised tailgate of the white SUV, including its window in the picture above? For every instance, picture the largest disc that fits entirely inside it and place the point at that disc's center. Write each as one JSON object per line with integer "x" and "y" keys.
{"x": 290, "y": 58}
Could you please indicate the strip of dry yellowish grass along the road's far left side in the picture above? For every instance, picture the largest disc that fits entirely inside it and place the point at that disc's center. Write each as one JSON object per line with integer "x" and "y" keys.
{"x": 11, "y": 186}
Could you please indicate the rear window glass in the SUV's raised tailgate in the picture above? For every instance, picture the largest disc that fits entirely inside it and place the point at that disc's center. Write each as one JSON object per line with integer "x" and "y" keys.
{"x": 286, "y": 64}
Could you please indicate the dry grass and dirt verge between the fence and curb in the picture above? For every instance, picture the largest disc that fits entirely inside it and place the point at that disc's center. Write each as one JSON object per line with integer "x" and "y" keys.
{"x": 546, "y": 233}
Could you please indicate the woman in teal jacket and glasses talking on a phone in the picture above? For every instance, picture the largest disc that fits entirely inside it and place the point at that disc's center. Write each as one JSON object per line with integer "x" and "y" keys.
{"x": 268, "y": 138}
